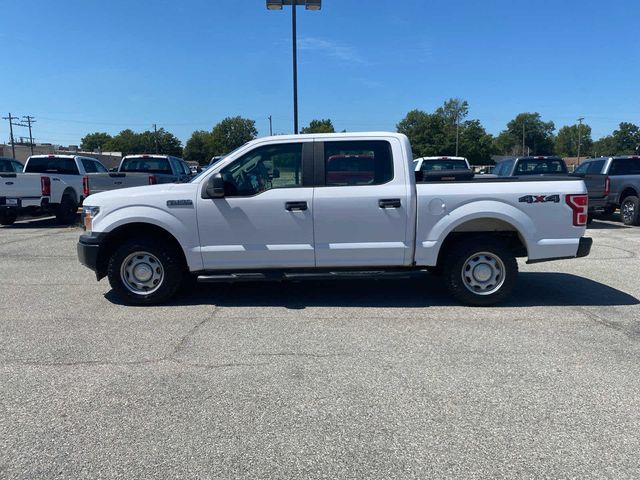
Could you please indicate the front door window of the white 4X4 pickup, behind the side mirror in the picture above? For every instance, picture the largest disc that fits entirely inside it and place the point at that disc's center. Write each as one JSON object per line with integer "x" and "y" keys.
{"x": 262, "y": 169}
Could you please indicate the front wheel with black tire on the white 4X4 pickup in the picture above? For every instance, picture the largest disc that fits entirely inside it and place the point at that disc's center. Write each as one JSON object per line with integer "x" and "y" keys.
{"x": 153, "y": 254}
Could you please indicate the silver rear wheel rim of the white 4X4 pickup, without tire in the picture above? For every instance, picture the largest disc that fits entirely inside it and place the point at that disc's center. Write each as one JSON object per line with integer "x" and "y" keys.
{"x": 483, "y": 273}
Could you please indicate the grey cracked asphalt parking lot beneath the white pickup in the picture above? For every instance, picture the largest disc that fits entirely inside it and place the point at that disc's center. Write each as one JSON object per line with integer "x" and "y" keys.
{"x": 348, "y": 379}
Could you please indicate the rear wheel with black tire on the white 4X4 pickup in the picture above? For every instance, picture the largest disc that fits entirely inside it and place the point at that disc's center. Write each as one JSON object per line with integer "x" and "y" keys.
{"x": 491, "y": 257}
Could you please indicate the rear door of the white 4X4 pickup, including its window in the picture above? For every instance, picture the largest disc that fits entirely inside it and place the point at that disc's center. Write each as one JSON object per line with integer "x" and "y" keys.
{"x": 361, "y": 204}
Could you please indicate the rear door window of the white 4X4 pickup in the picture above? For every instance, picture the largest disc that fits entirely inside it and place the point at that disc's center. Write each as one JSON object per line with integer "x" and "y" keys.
{"x": 366, "y": 162}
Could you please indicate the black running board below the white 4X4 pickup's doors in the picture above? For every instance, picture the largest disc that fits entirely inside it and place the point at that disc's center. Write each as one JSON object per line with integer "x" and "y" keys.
{"x": 307, "y": 275}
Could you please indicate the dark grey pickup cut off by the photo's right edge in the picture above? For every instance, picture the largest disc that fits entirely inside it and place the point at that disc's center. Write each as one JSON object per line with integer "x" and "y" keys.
{"x": 613, "y": 182}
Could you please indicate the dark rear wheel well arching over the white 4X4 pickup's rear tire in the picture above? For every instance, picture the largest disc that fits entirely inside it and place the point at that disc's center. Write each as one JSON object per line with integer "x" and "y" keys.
{"x": 485, "y": 228}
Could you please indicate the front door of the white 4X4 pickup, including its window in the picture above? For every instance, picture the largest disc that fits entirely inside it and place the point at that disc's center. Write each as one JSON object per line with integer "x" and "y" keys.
{"x": 265, "y": 219}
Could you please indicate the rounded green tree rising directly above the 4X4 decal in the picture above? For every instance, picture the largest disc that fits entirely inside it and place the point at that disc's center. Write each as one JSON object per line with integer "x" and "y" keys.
{"x": 539, "y": 138}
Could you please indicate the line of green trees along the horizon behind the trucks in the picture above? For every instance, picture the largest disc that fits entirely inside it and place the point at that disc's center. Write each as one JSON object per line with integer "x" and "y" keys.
{"x": 446, "y": 131}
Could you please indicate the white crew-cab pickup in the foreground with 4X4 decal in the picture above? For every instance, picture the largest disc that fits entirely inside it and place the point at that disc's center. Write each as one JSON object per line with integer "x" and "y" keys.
{"x": 330, "y": 206}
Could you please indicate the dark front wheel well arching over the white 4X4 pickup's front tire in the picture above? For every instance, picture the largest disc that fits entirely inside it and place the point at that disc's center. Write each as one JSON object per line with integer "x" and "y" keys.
{"x": 134, "y": 230}
